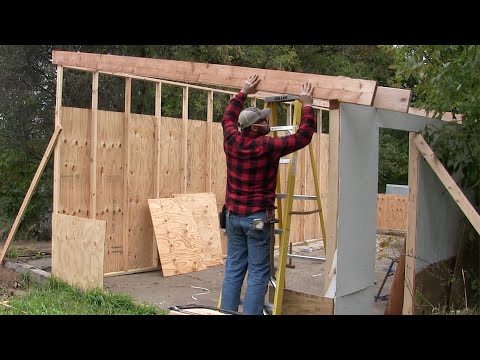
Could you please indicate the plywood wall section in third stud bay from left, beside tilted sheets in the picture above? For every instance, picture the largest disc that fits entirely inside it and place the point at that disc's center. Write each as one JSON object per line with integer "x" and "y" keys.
{"x": 141, "y": 187}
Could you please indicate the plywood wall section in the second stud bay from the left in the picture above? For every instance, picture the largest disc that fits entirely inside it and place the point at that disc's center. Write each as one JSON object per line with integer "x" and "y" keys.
{"x": 110, "y": 184}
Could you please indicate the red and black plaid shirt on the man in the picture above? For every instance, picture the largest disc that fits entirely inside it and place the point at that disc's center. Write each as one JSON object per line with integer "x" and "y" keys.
{"x": 252, "y": 159}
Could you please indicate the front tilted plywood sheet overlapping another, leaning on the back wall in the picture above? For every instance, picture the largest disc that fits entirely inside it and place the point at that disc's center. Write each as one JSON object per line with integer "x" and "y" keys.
{"x": 178, "y": 239}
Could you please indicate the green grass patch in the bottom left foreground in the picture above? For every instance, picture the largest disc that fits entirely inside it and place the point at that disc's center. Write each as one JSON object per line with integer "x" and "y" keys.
{"x": 54, "y": 297}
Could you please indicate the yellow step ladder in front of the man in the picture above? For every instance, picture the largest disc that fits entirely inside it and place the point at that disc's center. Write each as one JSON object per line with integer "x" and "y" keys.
{"x": 285, "y": 215}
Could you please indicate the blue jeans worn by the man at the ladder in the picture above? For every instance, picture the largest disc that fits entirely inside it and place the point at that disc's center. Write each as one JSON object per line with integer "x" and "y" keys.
{"x": 247, "y": 249}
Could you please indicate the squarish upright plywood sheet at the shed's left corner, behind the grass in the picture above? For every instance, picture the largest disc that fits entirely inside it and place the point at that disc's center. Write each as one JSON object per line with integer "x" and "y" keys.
{"x": 77, "y": 250}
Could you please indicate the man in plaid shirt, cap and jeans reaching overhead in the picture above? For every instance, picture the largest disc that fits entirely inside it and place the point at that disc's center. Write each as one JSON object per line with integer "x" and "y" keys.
{"x": 252, "y": 166}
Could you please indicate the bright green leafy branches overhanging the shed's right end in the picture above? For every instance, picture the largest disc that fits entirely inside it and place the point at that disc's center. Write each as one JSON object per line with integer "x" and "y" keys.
{"x": 447, "y": 79}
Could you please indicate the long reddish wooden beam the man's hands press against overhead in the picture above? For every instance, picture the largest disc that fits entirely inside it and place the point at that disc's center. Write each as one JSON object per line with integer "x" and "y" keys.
{"x": 344, "y": 89}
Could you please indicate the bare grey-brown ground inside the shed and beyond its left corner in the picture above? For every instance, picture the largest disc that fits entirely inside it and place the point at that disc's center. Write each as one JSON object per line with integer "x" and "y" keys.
{"x": 203, "y": 287}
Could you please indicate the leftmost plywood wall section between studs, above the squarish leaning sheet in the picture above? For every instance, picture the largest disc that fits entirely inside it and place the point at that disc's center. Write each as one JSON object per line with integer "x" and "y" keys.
{"x": 74, "y": 159}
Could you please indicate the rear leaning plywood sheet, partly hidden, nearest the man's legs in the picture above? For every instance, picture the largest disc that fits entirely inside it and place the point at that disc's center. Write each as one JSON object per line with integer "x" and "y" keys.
{"x": 204, "y": 207}
